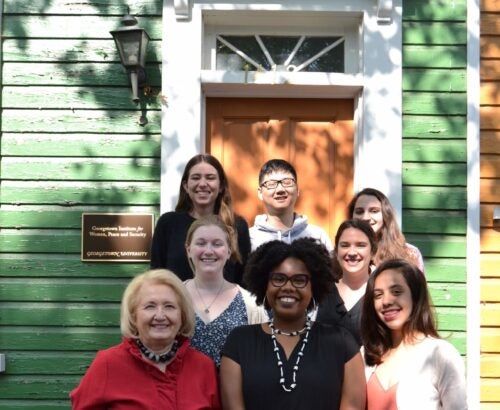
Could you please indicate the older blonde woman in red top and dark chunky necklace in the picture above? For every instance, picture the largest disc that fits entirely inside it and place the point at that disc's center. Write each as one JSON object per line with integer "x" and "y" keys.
{"x": 154, "y": 366}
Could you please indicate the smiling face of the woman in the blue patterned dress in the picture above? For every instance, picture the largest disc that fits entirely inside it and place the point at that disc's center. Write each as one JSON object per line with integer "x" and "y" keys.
{"x": 208, "y": 250}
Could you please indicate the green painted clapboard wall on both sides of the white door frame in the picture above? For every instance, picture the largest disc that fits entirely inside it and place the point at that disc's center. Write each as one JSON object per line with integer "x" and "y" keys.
{"x": 71, "y": 143}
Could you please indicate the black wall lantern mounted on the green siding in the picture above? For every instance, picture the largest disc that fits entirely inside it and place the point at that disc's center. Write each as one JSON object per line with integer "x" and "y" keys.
{"x": 132, "y": 42}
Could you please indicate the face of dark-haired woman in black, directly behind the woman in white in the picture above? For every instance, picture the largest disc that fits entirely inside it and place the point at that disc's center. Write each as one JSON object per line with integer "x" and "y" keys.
{"x": 354, "y": 252}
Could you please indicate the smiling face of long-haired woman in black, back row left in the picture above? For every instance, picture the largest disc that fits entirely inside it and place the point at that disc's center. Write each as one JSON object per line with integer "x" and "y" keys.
{"x": 203, "y": 186}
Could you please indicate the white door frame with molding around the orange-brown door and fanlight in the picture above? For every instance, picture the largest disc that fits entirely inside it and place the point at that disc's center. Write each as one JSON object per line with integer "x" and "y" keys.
{"x": 373, "y": 80}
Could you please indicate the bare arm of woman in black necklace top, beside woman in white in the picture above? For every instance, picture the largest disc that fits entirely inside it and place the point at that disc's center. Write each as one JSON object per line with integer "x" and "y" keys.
{"x": 354, "y": 385}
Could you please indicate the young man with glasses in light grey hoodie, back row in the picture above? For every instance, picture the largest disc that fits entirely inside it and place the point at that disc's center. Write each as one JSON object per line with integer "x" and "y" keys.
{"x": 278, "y": 190}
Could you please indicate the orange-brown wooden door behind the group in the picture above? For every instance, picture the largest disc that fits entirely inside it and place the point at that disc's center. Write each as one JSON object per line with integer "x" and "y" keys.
{"x": 315, "y": 135}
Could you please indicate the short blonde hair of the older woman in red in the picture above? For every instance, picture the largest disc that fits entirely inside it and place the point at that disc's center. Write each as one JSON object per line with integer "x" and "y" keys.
{"x": 158, "y": 277}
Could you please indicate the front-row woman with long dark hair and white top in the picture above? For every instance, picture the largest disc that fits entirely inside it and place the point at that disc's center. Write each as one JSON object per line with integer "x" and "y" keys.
{"x": 408, "y": 365}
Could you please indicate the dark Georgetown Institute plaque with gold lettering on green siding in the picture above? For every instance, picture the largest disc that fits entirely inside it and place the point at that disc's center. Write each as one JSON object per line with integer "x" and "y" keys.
{"x": 116, "y": 237}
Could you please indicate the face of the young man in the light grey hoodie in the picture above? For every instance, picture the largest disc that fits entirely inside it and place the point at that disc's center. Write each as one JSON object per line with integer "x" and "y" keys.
{"x": 279, "y": 199}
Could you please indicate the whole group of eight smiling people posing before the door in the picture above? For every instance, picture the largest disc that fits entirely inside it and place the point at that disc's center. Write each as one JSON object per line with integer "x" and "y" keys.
{"x": 275, "y": 316}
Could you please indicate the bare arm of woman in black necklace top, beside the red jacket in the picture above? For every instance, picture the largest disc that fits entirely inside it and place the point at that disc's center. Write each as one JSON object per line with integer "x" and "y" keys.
{"x": 231, "y": 385}
